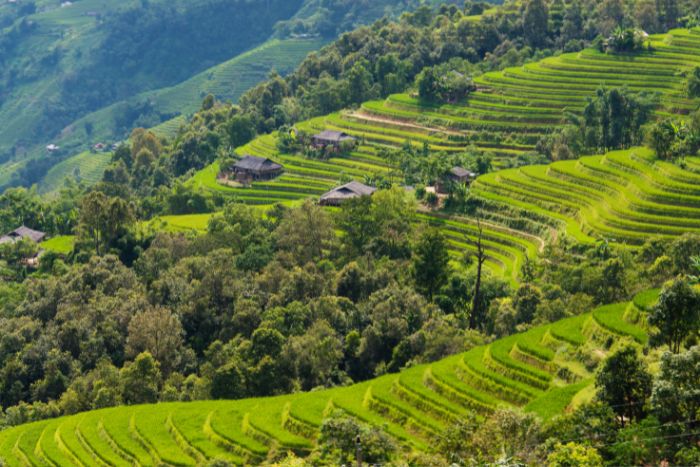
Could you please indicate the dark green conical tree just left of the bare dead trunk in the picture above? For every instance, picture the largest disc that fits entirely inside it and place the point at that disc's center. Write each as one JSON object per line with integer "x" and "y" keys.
{"x": 431, "y": 263}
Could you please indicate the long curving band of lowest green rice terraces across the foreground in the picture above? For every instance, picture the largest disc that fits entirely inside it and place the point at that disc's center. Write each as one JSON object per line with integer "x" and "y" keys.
{"x": 537, "y": 371}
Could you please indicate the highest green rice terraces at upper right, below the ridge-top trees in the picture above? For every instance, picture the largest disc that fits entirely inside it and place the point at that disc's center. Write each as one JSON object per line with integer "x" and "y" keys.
{"x": 513, "y": 108}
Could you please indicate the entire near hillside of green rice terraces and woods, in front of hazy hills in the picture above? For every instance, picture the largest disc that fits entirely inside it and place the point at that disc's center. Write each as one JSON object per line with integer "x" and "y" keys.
{"x": 545, "y": 313}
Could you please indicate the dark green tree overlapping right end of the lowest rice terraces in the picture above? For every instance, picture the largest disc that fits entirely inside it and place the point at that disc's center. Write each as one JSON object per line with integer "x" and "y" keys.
{"x": 624, "y": 384}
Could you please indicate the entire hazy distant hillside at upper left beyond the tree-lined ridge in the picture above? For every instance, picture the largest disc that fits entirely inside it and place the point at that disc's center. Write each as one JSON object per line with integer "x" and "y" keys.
{"x": 76, "y": 72}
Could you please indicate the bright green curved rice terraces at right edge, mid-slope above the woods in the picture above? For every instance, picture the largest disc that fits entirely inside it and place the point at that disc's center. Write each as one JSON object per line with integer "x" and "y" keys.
{"x": 623, "y": 196}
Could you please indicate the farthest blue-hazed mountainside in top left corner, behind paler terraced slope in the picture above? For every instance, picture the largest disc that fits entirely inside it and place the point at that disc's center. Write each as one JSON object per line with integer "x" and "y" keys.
{"x": 77, "y": 41}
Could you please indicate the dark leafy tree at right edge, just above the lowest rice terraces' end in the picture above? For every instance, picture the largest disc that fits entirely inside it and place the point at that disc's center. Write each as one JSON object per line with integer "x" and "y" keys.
{"x": 677, "y": 314}
